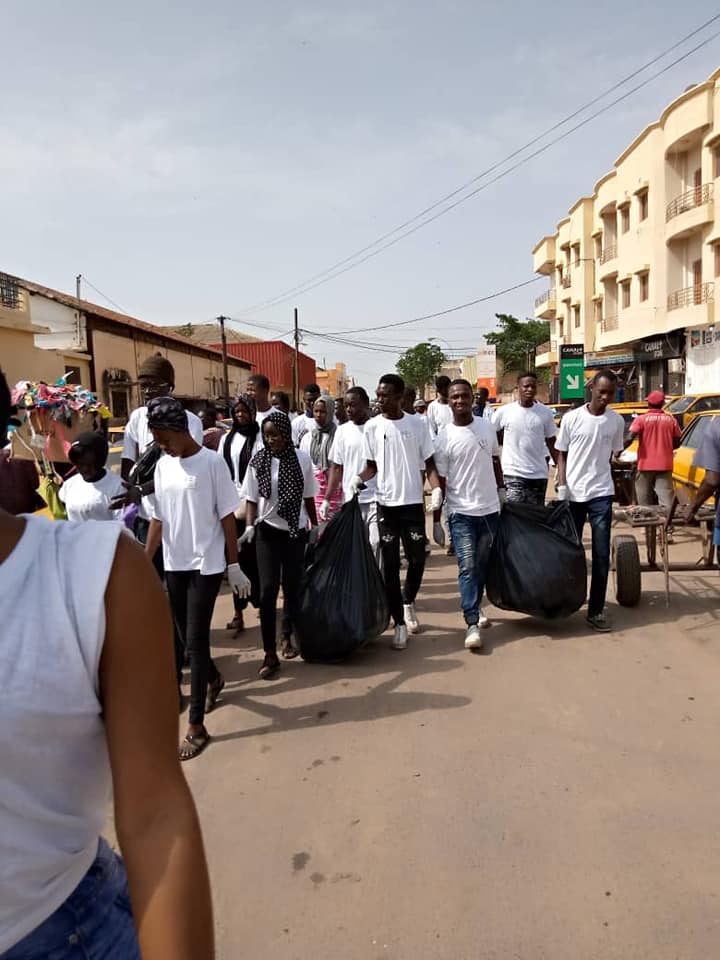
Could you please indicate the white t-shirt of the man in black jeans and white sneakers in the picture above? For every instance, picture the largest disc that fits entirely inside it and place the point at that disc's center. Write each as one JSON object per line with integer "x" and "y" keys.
{"x": 400, "y": 449}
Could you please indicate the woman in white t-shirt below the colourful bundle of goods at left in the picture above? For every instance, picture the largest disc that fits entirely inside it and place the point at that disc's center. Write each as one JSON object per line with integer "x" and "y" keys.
{"x": 88, "y": 493}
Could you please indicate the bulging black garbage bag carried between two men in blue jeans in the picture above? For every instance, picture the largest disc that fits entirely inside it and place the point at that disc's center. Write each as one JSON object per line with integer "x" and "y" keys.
{"x": 537, "y": 563}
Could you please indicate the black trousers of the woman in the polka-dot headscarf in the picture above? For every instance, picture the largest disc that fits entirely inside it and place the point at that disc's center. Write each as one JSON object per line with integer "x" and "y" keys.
{"x": 280, "y": 559}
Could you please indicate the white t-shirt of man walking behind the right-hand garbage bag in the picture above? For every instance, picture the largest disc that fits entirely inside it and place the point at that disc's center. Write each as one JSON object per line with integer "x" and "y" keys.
{"x": 524, "y": 447}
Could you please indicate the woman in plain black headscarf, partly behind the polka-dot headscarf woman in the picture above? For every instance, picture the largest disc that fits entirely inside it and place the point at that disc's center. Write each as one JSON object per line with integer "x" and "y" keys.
{"x": 237, "y": 448}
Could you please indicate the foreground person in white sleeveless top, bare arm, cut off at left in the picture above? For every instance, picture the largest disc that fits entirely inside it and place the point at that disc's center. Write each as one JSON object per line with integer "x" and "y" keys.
{"x": 88, "y": 712}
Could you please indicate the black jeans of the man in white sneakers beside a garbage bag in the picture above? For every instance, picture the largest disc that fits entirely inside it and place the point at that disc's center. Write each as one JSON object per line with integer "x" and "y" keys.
{"x": 406, "y": 524}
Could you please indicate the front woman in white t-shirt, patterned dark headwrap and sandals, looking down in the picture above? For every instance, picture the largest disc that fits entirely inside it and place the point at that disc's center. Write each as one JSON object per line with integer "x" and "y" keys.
{"x": 194, "y": 518}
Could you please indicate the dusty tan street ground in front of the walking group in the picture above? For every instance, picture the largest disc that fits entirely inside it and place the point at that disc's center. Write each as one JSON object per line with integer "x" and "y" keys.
{"x": 553, "y": 798}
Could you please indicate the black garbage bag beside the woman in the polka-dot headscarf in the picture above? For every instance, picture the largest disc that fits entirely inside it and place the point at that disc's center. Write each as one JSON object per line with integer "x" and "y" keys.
{"x": 342, "y": 600}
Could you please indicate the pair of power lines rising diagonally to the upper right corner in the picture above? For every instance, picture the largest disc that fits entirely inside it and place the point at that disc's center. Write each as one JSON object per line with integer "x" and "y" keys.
{"x": 348, "y": 263}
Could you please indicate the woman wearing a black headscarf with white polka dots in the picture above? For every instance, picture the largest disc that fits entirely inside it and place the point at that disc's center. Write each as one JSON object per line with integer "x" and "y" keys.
{"x": 280, "y": 490}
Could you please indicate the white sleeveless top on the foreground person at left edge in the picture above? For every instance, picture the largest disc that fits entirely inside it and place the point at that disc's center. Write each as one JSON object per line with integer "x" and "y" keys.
{"x": 54, "y": 770}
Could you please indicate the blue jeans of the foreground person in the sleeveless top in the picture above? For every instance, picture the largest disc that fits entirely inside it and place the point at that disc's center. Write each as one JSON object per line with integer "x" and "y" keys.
{"x": 94, "y": 923}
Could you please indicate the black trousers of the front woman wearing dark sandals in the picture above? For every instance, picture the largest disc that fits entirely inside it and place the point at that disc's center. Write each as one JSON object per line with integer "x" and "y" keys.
{"x": 192, "y": 600}
